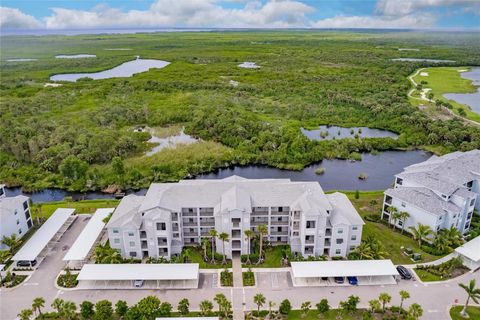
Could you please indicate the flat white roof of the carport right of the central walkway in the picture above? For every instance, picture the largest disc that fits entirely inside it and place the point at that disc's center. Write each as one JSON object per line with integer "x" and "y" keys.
{"x": 353, "y": 268}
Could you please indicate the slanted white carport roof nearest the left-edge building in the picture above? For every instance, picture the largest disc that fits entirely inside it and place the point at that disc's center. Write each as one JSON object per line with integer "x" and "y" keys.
{"x": 42, "y": 237}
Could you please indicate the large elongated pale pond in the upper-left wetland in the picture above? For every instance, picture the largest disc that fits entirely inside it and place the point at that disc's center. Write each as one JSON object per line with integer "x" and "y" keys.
{"x": 124, "y": 70}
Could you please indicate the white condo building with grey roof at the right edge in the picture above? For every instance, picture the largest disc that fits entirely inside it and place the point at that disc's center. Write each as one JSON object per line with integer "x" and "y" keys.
{"x": 441, "y": 192}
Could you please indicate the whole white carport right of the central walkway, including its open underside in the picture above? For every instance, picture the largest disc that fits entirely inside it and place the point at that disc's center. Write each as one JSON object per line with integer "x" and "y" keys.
{"x": 368, "y": 272}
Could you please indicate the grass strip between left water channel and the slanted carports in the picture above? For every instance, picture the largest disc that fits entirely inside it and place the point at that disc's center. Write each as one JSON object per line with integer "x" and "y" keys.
{"x": 45, "y": 210}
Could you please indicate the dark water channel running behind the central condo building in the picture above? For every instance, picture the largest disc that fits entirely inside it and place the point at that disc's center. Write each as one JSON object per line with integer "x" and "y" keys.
{"x": 339, "y": 175}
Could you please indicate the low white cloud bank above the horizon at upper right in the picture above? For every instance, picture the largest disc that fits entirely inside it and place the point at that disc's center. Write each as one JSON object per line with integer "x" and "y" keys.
{"x": 408, "y": 21}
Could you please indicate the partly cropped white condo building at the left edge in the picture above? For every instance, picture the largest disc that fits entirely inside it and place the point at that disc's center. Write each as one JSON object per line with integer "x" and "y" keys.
{"x": 15, "y": 216}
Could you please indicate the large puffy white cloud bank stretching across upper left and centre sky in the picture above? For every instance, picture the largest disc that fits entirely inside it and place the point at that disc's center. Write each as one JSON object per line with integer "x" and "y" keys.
{"x": 186, "y": 13}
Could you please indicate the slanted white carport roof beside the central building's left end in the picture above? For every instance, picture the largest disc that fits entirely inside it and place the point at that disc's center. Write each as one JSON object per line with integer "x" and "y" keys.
{"x": 82, "y": 245}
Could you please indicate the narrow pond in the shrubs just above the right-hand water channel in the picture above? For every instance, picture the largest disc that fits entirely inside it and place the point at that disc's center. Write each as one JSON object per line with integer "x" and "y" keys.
{"x": 335, "y": 132}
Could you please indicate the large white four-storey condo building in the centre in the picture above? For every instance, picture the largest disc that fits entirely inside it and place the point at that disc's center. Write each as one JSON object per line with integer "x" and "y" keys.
{"x": 173, "y": 215}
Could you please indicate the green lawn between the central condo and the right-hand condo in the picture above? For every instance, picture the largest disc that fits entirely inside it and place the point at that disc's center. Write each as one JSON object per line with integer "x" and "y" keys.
{"x": 392, "y": 240}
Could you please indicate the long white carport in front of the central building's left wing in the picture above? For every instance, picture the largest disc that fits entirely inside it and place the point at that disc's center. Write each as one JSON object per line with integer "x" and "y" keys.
{"x": 154, "y": 276}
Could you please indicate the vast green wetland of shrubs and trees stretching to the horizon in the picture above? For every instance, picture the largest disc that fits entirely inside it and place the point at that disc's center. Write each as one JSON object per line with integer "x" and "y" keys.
{"x": 80, "y": 136}
